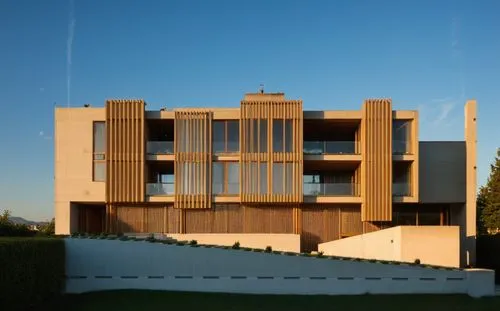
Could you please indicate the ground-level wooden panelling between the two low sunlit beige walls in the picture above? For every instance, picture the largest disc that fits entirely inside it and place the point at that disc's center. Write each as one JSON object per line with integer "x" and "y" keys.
{"x": 320, "y": 223}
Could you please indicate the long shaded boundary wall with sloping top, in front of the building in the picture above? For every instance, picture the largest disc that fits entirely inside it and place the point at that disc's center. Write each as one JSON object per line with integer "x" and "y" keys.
{"x": 95, "y": 265}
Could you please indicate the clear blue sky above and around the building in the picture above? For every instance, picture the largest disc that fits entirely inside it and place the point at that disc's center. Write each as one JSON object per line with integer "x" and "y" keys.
{"x": 426, "y": 55}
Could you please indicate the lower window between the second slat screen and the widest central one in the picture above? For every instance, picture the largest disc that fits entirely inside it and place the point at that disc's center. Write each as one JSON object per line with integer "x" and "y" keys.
{"x": 225, "y": 178}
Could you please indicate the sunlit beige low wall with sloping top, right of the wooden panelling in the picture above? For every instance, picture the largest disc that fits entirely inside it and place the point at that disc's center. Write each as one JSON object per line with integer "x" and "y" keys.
{"x": 436, "y": 245}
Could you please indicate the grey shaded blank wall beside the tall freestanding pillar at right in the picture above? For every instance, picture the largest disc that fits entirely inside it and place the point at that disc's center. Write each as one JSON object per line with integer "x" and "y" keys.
{"x": 442, "y": 177}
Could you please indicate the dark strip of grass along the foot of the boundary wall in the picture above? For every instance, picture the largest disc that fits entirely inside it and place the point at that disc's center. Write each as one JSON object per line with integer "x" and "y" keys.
{"x": 134, "y": 300}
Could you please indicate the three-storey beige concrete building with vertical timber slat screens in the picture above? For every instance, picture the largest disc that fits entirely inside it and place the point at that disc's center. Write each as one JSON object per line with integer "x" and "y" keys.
{"x": 267, "y": 172}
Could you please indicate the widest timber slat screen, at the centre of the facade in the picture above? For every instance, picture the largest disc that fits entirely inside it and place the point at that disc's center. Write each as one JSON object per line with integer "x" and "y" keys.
{"x": 271, "y": 152}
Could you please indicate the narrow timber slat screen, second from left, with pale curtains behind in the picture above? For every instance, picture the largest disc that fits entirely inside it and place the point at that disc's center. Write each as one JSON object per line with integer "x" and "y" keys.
{"x": 193, "y": 158}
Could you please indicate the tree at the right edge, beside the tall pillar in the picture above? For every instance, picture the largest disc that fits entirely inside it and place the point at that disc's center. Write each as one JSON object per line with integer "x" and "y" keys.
{"x": 488, "y": 200}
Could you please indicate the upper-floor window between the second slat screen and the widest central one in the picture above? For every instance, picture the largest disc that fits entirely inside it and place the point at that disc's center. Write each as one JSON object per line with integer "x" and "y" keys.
{"x": 226, "y": 136}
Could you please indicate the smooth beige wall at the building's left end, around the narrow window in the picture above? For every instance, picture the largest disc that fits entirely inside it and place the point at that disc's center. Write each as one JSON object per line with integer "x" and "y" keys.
{"x": 73, "y": 143}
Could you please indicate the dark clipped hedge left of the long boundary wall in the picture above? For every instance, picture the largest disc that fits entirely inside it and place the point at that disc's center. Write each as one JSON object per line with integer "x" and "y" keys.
{"x": 32, "y": 271}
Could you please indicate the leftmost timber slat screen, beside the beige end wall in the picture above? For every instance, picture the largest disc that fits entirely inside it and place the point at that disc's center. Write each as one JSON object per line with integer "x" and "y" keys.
{"x": 125, "y": 151}
